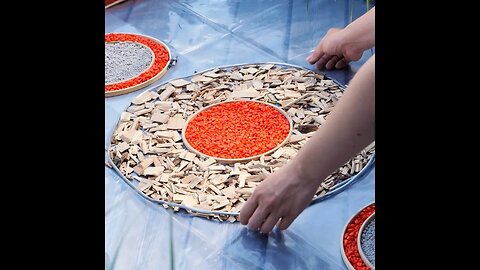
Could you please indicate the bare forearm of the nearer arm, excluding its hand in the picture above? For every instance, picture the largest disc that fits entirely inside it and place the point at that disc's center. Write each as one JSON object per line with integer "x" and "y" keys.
{"x": 349, "y": 128}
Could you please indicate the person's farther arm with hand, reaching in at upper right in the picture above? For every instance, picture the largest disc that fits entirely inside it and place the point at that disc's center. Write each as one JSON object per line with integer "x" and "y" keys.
{"x": 340, "y": 46}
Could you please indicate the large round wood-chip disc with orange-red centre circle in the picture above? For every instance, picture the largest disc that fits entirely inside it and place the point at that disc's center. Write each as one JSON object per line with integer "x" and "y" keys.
{"x": 151, "y": 147}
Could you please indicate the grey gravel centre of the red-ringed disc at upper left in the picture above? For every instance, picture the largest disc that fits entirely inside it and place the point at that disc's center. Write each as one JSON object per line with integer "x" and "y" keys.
{"x": 125, "y": 60}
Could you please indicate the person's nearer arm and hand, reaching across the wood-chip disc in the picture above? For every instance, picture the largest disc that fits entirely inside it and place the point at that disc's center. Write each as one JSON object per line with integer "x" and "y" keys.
{"x": 349, "y": 128}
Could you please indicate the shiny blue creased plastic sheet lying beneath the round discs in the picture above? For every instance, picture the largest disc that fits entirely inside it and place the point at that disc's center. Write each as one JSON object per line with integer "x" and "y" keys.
{"x": 203, "y": 34}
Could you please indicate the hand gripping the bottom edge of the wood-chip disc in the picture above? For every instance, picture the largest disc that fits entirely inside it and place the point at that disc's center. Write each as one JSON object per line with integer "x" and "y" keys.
{"x": 278, "y": 200}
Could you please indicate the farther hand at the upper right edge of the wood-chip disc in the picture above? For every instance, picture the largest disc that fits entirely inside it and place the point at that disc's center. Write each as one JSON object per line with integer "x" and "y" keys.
{"x": 335, "y": 50}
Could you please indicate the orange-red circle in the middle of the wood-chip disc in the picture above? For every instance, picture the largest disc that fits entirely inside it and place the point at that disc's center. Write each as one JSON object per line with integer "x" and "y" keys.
{"x": 237, "y": 130}
